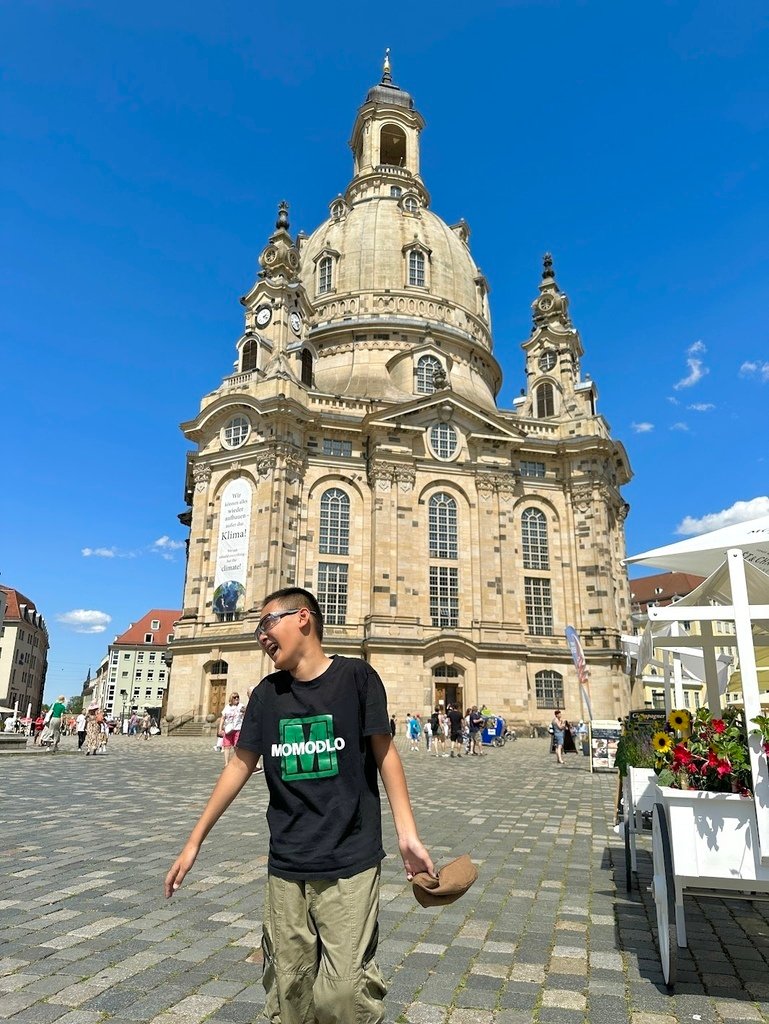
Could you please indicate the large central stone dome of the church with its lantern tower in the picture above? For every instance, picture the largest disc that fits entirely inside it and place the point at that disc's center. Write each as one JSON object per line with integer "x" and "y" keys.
{"x": 389, "y": 280}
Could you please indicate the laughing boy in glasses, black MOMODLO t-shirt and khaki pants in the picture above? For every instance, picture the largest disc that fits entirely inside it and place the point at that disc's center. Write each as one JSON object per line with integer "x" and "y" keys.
{"x": 322, "y": 727}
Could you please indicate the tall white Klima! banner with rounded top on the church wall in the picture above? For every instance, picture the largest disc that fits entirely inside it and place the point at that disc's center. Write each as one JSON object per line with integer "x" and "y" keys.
{"x": 232, "y": 554}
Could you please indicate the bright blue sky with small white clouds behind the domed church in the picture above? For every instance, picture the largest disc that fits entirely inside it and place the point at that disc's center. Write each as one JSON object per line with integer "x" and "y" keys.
{"x": 147, "y": 147}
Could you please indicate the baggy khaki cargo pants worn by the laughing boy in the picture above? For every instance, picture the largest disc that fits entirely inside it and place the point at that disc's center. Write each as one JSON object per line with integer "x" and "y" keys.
{"x": 319, "y": 943}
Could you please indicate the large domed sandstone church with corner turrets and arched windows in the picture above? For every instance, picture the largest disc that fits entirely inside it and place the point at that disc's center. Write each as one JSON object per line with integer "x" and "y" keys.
{"x": 359, "y": 451}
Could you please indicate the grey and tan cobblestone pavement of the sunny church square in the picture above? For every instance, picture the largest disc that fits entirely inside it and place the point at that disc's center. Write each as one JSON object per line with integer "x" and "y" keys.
{"x": 547, "y": 934}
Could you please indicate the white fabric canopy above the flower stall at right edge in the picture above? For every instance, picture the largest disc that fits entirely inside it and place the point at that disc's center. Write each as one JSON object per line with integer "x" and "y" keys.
{"x": 704, "y": 554}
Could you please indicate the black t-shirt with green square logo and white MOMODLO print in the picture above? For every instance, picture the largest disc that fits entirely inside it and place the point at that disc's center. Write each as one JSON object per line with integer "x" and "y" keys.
{"x": 324, "y": 815}
